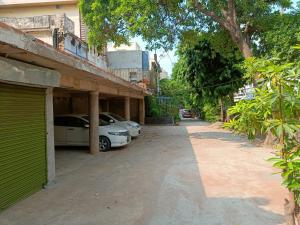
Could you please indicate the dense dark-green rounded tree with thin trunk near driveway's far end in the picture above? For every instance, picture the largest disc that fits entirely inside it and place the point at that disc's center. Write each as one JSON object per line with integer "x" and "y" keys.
{"x": 211, "y": 75}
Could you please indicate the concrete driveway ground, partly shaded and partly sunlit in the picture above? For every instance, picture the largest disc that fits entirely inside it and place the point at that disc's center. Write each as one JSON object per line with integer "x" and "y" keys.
{"x": 191, "y": 174}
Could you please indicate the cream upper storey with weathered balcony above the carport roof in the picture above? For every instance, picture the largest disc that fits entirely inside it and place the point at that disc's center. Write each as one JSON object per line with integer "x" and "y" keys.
{"x": 56, "y": 22}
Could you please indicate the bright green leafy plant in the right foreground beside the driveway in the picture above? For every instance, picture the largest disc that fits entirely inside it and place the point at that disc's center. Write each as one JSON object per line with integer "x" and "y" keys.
{"x": 275, "y": 109}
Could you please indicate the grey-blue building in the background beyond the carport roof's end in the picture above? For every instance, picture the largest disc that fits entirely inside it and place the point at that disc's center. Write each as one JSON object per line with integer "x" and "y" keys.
{"x": 129, "y": 62}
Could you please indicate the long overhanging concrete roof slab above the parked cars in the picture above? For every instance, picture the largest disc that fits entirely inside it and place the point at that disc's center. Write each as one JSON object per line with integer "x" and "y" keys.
{"x": 78, "y": 74}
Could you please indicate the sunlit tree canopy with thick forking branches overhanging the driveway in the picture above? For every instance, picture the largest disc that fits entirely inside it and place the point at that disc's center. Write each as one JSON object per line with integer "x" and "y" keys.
{"x": 162, "y": 22}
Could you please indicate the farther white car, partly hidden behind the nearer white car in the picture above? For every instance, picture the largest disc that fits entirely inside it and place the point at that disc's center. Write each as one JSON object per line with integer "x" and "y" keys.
{"x": 133, "y": 127}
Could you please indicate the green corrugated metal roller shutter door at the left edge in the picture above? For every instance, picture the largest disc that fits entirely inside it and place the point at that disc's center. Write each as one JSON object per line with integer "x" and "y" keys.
{"x": 22, "y": 142}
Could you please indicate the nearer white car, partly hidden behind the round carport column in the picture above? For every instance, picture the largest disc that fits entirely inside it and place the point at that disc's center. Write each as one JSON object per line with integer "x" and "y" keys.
{"x": 74, "y": 130}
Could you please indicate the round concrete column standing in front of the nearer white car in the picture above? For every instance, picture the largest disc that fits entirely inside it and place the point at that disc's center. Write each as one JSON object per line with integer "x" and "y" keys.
{"x": 94, "y": 122}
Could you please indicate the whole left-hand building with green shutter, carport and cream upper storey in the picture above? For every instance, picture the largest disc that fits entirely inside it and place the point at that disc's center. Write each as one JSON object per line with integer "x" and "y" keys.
{"x": 46, "y": 70}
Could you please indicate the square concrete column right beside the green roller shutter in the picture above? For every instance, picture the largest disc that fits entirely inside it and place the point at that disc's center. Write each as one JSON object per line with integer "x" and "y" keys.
{"x": 50, "y": 137}
